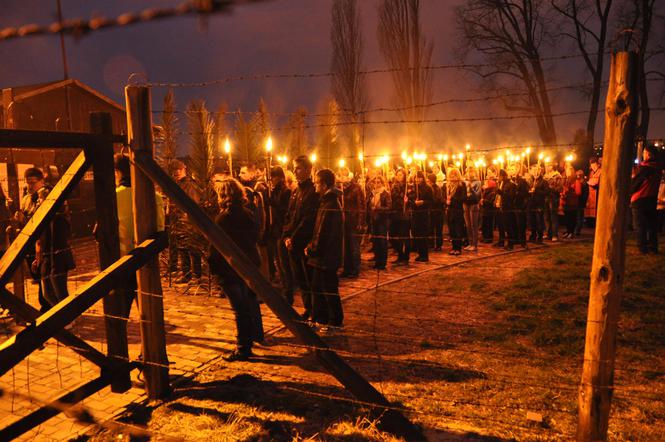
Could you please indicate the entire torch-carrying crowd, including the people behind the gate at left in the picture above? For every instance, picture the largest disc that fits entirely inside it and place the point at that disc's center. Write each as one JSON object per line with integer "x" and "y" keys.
{"x": 305, "y": 229}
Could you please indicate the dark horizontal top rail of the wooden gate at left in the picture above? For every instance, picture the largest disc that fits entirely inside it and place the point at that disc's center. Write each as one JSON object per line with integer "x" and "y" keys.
{"x": 49, "y": 139}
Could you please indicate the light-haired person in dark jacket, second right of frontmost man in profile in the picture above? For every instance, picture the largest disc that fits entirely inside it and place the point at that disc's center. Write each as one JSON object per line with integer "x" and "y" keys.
{"x": 380, "y": 206}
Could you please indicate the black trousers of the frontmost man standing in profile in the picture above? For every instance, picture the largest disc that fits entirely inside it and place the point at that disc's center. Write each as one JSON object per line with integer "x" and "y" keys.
{"x": 326, "y": 305}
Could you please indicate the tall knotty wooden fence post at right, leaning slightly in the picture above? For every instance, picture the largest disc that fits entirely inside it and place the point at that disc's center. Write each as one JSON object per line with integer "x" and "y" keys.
{"x": 607, "y": 268}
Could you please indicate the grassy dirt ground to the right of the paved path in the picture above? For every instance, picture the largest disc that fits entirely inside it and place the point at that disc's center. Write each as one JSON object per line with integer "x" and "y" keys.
{"x": 488, "y": 350}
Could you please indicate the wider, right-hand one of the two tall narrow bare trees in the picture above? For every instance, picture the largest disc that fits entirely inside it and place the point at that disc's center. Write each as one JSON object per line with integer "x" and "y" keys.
{"x": 408, "y": 53}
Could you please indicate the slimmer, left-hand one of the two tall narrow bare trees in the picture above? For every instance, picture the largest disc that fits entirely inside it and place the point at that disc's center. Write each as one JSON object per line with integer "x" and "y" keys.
{"x": 348, "y": 85}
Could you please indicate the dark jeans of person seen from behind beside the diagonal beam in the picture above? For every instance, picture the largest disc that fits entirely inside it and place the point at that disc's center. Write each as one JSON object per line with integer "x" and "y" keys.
{"x": 249, "y": 325}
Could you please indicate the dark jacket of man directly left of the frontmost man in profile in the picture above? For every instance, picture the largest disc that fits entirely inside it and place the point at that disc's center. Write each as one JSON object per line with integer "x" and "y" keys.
{"x": 299, "y": 222}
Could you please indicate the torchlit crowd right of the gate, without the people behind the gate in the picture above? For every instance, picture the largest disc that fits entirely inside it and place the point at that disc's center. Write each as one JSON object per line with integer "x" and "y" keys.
{"x": 306, "y": 229}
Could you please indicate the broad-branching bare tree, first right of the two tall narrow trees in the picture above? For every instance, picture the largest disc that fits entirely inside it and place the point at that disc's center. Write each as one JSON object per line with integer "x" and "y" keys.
{"x": 508, "y": 36}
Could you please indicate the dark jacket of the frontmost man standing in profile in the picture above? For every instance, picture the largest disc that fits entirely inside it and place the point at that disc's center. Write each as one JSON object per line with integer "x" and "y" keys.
{"x": 325, "y": 249}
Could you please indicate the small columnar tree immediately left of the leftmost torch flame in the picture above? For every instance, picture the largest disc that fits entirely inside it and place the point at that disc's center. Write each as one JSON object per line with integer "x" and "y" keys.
{"x": 201, "y": 129}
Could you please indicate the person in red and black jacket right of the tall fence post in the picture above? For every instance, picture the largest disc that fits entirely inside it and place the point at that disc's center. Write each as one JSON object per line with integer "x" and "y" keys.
{"x": 644, "y": 199}
